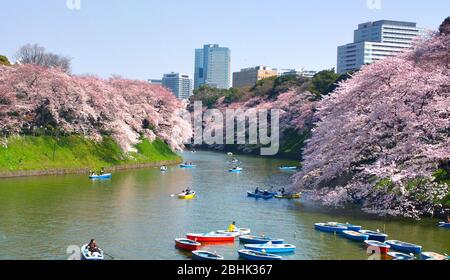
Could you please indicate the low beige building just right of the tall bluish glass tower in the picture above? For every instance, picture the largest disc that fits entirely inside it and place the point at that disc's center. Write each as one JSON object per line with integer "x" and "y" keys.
{"x": 249, "y": 76}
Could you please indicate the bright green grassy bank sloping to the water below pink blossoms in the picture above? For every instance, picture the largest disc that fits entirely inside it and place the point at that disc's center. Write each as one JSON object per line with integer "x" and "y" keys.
{"x": 28, "y": 153}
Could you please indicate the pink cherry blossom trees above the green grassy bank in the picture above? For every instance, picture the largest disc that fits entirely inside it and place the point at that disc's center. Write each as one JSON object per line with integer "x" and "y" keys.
{"x": 30, "y": 96}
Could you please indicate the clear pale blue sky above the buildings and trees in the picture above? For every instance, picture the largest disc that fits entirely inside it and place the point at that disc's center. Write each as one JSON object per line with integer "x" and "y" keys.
{"x": 145, "y": 38}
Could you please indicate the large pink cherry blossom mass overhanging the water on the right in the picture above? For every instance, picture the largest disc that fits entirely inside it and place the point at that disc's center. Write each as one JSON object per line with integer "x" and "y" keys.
{"x": 390, "y": 121}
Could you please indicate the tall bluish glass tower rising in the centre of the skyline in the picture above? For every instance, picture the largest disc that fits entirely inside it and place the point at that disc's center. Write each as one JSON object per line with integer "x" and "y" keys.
{"x": 213, "y": 67}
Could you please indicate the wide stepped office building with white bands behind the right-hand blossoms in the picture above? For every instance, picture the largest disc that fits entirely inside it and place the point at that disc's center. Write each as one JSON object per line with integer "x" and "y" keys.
{"x": 374, "y": 41}
